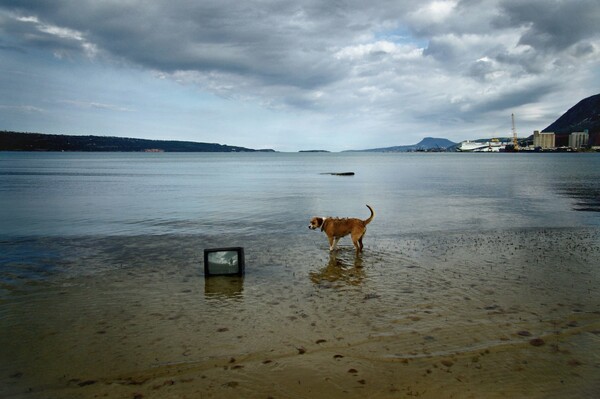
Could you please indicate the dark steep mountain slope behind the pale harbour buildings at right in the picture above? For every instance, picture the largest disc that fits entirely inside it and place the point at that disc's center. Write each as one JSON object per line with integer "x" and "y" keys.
{"x": 584, "y": 115}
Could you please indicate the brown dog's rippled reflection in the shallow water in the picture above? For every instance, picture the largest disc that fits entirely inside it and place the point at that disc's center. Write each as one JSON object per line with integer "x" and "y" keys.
{"x": 339, "y": 270}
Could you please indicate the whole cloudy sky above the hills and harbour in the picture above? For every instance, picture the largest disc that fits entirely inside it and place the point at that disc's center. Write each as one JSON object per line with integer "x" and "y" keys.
{"x": 293, "y": 75}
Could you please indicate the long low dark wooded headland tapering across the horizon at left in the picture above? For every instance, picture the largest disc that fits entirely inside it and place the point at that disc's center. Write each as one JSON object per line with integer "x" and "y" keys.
{"x": 15, "y": 141}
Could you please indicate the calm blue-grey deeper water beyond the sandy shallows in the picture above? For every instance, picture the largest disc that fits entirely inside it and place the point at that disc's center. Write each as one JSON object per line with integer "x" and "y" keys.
{"x": 79, "y": 194}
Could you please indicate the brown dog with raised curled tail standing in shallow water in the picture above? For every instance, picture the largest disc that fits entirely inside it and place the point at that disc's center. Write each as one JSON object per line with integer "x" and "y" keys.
{"x": 336, "y": 228}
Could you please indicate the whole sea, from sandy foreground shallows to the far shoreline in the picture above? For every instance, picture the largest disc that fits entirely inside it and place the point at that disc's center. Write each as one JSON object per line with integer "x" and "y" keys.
{"x": 479, "y": 276}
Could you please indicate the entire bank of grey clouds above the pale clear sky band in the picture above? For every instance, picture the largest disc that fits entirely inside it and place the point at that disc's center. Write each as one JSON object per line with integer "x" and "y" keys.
{"x": 449, "y": 59}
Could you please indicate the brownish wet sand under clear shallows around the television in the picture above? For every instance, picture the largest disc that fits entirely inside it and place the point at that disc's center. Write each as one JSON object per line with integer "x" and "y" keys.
{"x": 489, "y": 314}
